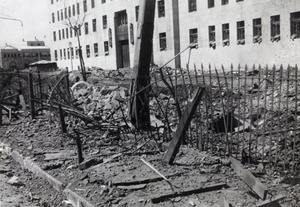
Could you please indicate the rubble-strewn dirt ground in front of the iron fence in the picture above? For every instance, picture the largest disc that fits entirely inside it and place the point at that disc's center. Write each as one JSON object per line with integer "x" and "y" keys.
{"x": 121, "y": 177}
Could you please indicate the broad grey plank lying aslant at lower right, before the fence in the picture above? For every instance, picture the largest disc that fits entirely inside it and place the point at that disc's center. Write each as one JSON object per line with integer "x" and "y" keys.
{"x": 249, "y": 178}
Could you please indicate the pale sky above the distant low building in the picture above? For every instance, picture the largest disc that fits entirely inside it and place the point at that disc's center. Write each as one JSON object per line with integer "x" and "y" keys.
{"x": 33, "y": 14}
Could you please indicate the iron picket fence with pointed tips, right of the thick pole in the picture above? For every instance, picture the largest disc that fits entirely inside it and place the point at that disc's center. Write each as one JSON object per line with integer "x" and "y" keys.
{"x": 251, "y": 114}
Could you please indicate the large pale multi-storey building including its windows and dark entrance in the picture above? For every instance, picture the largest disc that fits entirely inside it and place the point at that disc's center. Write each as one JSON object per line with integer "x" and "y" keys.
{"x": 226, "y": 31}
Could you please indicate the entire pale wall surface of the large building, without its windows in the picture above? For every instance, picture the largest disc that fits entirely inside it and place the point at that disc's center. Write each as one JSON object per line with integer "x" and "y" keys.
{"x": 284, "y": 51}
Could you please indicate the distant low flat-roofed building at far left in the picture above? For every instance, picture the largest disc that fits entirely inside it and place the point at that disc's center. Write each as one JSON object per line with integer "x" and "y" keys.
{"x": 19, "y": 57}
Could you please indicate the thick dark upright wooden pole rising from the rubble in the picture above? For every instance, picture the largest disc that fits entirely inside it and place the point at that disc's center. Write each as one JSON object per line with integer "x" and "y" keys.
{"x": 139, "y": 104}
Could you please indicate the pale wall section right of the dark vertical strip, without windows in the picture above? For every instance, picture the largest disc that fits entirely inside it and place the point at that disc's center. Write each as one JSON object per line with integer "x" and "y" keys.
{"x": 286, "y": 51}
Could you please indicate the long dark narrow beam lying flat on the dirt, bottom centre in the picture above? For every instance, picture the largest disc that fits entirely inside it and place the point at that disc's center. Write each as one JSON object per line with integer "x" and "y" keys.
{"x": 189, "y": 192}
